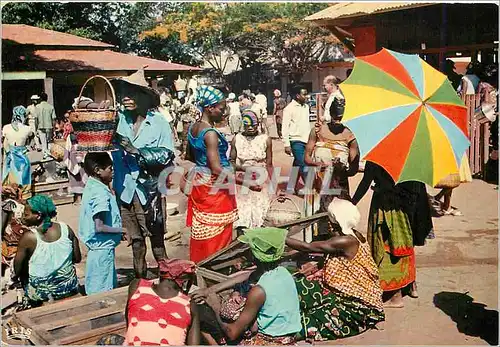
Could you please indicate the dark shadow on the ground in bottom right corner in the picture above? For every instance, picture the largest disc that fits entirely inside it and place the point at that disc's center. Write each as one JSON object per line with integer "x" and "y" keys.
{"x": 472, "y": 318}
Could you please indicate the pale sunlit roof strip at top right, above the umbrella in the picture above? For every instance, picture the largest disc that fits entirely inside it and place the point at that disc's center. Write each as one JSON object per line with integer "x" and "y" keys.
{"x": 354, "y": 9}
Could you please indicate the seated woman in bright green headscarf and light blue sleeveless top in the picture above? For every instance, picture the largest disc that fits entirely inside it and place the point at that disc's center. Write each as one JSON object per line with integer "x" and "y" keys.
{"x": 273, "y": 302}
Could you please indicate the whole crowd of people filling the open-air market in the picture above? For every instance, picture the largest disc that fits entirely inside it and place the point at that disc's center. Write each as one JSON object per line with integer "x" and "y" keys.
{"x": 345, "y": 295}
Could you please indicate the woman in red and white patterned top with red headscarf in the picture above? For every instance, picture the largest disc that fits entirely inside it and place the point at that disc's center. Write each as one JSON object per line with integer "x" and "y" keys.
{"x": 172, "y": 318}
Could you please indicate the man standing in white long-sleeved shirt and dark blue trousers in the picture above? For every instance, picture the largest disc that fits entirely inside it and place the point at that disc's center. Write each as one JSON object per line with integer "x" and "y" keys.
{"x": 296, "y": 128}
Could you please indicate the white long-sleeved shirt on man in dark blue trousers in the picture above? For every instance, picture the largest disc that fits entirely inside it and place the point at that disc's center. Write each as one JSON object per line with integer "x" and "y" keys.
{"x": 296, "y": 126}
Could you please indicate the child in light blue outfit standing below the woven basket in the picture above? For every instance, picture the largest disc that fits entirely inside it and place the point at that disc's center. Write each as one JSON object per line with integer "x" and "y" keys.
{"x": 100, "y": 224}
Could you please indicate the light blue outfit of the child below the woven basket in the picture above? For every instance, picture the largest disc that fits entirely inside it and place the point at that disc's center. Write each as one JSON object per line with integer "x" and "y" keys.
{"x": 100, "y": 270}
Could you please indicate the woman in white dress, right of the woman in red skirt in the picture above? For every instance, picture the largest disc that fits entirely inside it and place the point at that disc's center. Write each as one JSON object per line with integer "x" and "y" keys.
{"x": 251, "y": 150}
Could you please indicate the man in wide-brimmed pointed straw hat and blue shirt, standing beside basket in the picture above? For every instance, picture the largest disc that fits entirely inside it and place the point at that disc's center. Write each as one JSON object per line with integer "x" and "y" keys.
{"x": 146, "y": 147}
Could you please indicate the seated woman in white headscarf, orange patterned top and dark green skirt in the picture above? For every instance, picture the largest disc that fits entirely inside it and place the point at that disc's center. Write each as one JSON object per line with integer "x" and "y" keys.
{"x": 348, "y": 299}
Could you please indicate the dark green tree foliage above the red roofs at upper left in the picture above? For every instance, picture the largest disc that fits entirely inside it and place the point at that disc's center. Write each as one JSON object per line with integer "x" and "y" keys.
{"x": 117, "y": 23}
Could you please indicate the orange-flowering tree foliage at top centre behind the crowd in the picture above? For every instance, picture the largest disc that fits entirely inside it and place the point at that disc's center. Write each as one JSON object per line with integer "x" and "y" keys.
{"x": 257, "y": 33}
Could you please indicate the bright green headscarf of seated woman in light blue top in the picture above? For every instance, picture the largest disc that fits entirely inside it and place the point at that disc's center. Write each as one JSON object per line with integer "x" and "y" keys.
{"x": 267, "y": 244}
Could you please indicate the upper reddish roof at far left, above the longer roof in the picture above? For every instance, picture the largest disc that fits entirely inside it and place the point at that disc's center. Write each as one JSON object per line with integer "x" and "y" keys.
{"x": 29, "y": 35}
